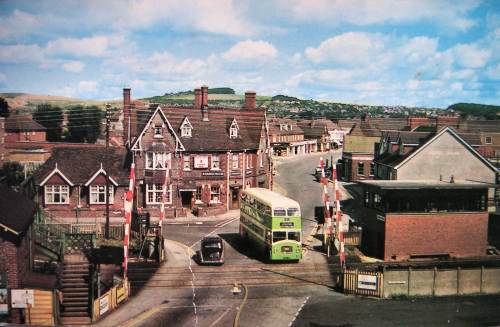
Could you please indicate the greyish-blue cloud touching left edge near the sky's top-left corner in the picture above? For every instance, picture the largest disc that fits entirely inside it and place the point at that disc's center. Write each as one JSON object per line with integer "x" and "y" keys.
{"x": 19, "y": 23}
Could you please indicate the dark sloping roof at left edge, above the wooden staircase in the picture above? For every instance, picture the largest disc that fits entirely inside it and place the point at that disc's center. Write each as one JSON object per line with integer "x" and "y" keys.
{"x": 16, "y": 210}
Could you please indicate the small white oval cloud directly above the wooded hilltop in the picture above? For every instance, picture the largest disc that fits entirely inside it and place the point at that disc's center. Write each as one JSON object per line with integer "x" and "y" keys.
{"x": 253, "y": 52}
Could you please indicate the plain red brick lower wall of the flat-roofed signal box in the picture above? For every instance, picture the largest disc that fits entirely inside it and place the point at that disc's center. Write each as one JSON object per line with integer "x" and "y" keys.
{"x": 459, "y": 234}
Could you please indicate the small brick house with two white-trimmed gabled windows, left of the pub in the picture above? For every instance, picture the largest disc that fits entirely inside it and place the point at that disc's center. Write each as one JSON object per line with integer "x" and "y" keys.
{"x": 71, "y": 184}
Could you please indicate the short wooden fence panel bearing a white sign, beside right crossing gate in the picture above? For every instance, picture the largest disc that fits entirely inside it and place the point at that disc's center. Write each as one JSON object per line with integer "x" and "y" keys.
{"x": 368, "y": 283}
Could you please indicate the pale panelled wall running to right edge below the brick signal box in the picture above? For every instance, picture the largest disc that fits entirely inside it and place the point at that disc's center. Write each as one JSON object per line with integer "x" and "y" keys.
{"x": 441, "y": 282}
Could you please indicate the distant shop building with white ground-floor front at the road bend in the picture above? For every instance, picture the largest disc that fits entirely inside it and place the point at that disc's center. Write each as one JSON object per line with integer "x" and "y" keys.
{"x": 288, "y": 139}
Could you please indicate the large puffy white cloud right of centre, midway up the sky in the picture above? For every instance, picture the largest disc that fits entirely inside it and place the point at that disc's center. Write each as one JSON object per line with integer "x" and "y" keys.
{"x": 350, "y": 48}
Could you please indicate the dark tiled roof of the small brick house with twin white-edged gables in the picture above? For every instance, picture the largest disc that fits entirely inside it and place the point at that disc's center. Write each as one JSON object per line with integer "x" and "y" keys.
{"x": 80, "y": 165}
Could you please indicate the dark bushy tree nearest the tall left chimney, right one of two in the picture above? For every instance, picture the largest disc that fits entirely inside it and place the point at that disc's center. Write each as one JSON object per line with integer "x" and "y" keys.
{"x": 84, "y": 124}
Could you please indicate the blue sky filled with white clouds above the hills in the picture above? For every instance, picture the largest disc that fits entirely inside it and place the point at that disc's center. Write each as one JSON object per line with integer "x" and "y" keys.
{"x": 429, "y": 53}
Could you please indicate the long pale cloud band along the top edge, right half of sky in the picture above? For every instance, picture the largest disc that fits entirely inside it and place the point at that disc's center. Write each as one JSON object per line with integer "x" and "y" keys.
{"x": 449, "y": 13}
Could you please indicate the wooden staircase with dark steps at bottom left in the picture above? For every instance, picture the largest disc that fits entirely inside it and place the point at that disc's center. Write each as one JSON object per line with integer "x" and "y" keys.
{"x": 74, "y": 284}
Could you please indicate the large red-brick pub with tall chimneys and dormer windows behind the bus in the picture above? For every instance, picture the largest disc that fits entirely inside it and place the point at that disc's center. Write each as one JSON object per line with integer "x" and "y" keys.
{"x": 204, "y": 155}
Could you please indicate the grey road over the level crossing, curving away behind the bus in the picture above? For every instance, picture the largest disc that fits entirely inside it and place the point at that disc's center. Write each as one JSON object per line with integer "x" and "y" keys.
{"x": 181, "y": 293}
